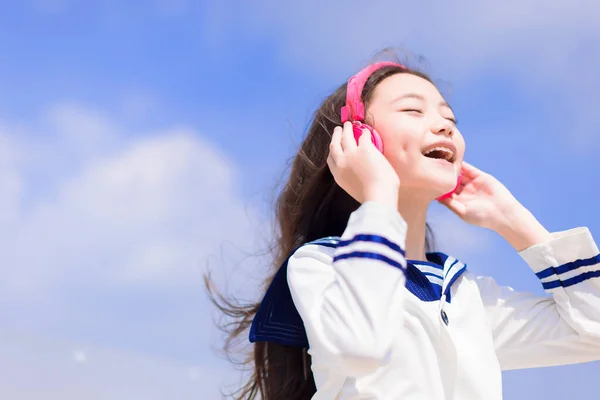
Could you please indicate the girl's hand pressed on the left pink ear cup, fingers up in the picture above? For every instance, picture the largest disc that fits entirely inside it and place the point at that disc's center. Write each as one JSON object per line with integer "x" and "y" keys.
{"x": 360, "y": 169}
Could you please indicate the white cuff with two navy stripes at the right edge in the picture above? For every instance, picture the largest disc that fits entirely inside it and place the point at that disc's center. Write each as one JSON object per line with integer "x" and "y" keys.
{"x": 569, "y": 258}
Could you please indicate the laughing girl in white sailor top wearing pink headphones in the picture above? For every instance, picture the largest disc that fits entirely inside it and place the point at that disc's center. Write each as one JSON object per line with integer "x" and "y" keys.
{"x": 359, "y": 308}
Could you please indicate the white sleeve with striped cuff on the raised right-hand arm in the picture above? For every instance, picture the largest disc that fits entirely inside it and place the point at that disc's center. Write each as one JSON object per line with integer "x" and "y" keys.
{"x": 562, "y": 328}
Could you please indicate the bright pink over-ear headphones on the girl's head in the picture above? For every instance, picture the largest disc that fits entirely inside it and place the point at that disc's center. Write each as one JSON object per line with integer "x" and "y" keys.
{"x": 354, "y": 110}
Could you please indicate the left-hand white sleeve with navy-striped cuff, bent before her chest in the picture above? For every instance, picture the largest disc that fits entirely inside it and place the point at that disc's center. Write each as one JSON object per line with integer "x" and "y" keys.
{"x": 351, "y": 301}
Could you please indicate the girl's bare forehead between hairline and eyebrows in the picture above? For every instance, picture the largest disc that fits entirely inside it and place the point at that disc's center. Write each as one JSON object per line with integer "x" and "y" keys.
{"x": 399, "y": 84}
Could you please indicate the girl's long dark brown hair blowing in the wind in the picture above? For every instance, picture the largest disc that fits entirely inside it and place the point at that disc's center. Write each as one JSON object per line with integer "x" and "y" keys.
{"x": 310, "y": 206}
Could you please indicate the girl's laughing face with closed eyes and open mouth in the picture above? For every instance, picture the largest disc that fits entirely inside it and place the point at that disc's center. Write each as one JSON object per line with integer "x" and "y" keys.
{"x": 419, "y": 133}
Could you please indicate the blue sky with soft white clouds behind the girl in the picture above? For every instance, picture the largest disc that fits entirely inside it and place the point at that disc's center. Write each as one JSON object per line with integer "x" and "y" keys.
{"x": 141, "y": 143}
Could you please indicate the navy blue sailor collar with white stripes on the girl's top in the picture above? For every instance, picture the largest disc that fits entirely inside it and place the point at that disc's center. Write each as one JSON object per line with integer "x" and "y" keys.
{"x": 277, "y": 319}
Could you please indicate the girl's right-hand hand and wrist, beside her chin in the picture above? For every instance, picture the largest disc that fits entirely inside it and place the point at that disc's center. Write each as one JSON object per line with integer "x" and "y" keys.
{"x": 483, "y": 201}
